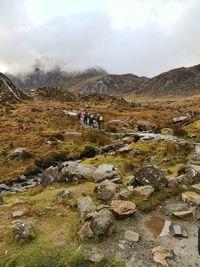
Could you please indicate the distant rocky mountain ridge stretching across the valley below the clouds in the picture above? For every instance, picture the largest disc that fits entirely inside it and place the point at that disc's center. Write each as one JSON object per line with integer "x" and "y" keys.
{"x": 181, "y": 81}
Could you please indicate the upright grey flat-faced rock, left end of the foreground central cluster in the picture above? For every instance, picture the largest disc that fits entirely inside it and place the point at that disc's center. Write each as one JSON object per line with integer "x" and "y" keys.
{"x": 85, "y": 206}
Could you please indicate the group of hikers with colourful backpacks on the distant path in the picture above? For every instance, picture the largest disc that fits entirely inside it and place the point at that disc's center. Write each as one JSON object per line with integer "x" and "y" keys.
{"x": 89, "y": 119}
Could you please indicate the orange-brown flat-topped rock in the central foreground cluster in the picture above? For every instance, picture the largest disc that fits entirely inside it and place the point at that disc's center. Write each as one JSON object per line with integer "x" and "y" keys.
{"x": 123, "y": 208}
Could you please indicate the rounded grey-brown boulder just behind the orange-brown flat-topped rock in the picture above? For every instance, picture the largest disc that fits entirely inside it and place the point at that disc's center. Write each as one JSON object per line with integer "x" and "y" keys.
{"x": 106, "y": 190}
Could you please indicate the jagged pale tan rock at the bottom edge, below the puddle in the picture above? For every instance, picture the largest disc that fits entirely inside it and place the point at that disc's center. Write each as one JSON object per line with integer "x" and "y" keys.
{"x": 161, "y": 254}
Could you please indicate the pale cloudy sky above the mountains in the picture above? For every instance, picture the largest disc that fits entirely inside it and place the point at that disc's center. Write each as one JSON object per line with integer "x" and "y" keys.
{"x": 144, "y": 37}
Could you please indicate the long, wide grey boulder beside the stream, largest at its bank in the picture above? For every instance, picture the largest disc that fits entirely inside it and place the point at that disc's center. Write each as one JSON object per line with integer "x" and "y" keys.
{"x": 74, "y": 171}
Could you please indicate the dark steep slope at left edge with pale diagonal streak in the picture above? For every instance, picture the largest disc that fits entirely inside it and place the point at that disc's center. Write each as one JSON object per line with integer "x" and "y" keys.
{"x": 8, "y": 91}
